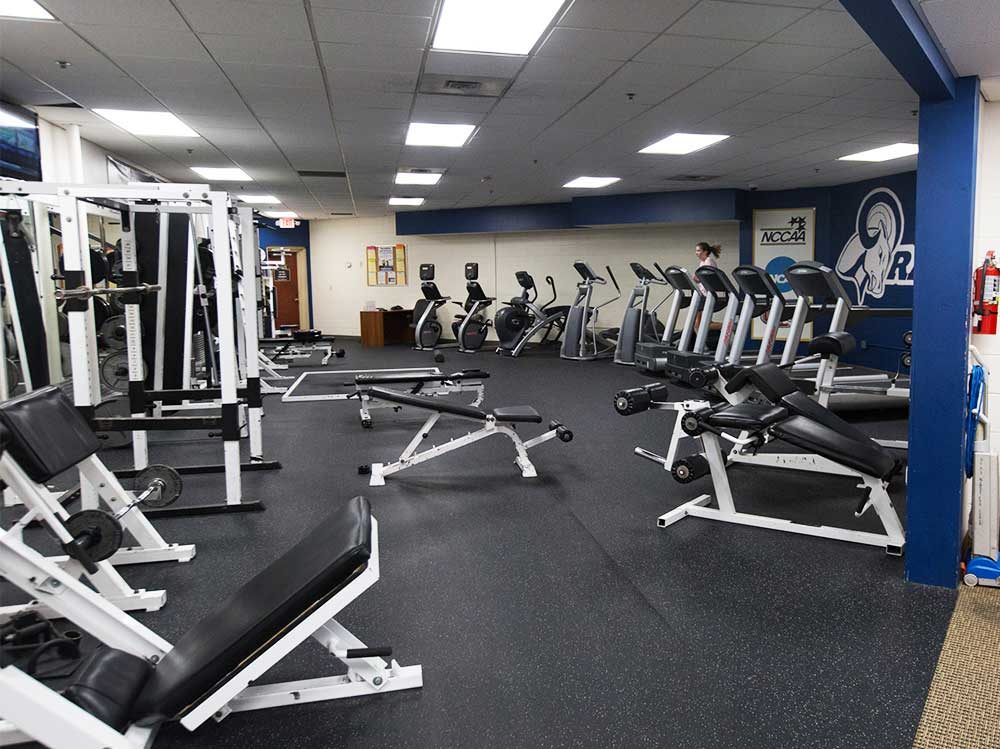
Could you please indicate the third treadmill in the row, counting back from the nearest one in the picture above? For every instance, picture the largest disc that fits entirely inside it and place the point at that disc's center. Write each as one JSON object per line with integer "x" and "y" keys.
{"x": 698, "y": 367}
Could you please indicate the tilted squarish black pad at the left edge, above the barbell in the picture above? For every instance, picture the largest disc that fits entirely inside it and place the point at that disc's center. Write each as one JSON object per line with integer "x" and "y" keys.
{"x": 46, "y": 434}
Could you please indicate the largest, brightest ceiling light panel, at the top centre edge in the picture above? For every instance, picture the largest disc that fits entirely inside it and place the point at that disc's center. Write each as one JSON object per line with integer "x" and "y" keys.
{"x": 508, "y": 27}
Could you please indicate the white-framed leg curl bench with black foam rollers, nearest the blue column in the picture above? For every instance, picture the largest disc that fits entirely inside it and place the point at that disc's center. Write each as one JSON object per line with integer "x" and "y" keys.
{"x": 832, "y": 446}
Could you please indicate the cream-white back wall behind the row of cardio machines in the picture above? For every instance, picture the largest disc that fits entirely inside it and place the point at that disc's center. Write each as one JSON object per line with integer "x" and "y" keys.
{"x": 339, "y": 292}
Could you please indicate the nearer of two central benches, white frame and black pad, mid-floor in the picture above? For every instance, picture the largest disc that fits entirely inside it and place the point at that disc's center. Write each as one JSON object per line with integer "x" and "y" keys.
{"x": 498, "y": 421}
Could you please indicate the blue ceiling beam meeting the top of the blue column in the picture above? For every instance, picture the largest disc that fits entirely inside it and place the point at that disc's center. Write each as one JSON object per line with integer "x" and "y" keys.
{"x": 900, "y": 34}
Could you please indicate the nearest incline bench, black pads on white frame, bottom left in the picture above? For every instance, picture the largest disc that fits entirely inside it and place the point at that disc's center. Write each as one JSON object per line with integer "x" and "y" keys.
{"x": 139, "y": 680}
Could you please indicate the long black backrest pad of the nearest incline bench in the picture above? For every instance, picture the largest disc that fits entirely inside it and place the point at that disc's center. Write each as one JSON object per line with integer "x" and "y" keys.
{"x": 260, "y": 612}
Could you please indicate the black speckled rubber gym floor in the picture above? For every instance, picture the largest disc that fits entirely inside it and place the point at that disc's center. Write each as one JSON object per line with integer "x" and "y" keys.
{"x": 553, "y": 612}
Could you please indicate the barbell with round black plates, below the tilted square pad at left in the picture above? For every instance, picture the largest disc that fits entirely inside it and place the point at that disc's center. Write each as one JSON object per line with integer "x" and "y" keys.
{"x": 97, "y": 534}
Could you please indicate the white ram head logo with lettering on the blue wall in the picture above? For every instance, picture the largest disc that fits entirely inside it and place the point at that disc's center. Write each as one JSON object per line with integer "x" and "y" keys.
{"x": 875, "y": 257}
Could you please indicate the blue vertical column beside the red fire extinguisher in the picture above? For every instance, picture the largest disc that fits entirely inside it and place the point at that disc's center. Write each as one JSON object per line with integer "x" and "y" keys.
{"x": 946, "y": 193}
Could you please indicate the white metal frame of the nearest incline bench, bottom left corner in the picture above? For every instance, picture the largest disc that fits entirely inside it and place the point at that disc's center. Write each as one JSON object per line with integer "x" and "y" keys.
{"x": 32, "y": 711}
